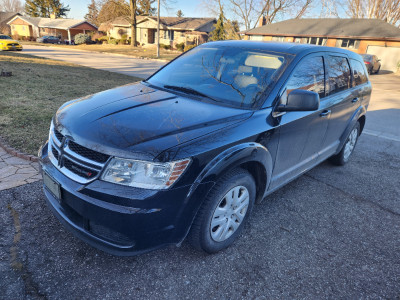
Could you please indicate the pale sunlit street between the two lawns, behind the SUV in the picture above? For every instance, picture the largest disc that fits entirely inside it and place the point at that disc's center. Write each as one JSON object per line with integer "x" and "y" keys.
{"x": 141, "y": 68}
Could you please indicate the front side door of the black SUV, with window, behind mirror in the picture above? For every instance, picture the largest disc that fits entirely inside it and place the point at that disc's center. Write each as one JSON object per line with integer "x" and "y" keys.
{"x": 301, "y": 133}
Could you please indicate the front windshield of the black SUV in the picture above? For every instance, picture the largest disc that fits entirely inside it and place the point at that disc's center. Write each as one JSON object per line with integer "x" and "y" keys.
{"x": 230, "y": 75}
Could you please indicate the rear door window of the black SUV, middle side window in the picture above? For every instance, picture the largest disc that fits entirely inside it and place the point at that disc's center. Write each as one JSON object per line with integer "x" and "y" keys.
{"x": 339, "y": 74}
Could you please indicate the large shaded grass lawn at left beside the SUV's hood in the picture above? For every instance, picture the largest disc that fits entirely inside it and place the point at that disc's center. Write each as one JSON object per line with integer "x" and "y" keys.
{"x": 30, "y": 97}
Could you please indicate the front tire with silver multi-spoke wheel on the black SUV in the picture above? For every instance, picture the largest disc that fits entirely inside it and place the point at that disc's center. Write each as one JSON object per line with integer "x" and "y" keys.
{"x": 219, "y": 221}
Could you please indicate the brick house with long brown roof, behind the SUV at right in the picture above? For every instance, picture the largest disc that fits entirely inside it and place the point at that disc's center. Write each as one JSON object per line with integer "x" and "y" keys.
{"x": 371, "y": 36}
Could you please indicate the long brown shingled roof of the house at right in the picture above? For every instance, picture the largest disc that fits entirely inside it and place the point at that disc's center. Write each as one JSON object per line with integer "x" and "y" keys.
{"x": 339, "y": 28}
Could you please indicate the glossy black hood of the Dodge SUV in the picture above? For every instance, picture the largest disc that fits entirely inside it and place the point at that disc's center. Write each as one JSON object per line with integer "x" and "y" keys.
{"x": 138, "y": 121}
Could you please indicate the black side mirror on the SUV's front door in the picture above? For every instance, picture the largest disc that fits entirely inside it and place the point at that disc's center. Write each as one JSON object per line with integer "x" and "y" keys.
{"x": 300, "y": 100}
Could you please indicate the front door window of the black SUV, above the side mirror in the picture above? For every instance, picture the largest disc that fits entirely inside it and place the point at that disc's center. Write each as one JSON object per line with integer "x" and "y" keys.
{"x": 309, "y": 75}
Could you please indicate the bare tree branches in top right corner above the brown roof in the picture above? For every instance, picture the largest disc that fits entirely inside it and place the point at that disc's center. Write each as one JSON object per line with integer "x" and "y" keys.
{"x": 386, "y": 10}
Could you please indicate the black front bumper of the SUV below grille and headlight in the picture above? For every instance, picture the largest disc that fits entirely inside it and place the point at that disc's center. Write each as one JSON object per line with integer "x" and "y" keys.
{"x": 118, "y": 219}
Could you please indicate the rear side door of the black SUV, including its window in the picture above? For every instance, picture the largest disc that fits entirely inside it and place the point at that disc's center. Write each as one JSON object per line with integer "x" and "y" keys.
{"x": 343, "y": 99}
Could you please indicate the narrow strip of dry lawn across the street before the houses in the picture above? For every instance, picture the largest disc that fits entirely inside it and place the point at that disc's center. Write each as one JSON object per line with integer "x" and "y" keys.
{"x": 140, "y": 52}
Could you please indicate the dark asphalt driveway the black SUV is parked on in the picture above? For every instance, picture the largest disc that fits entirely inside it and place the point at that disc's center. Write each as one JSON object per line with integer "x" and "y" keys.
{"x": 332, "y": 233}
